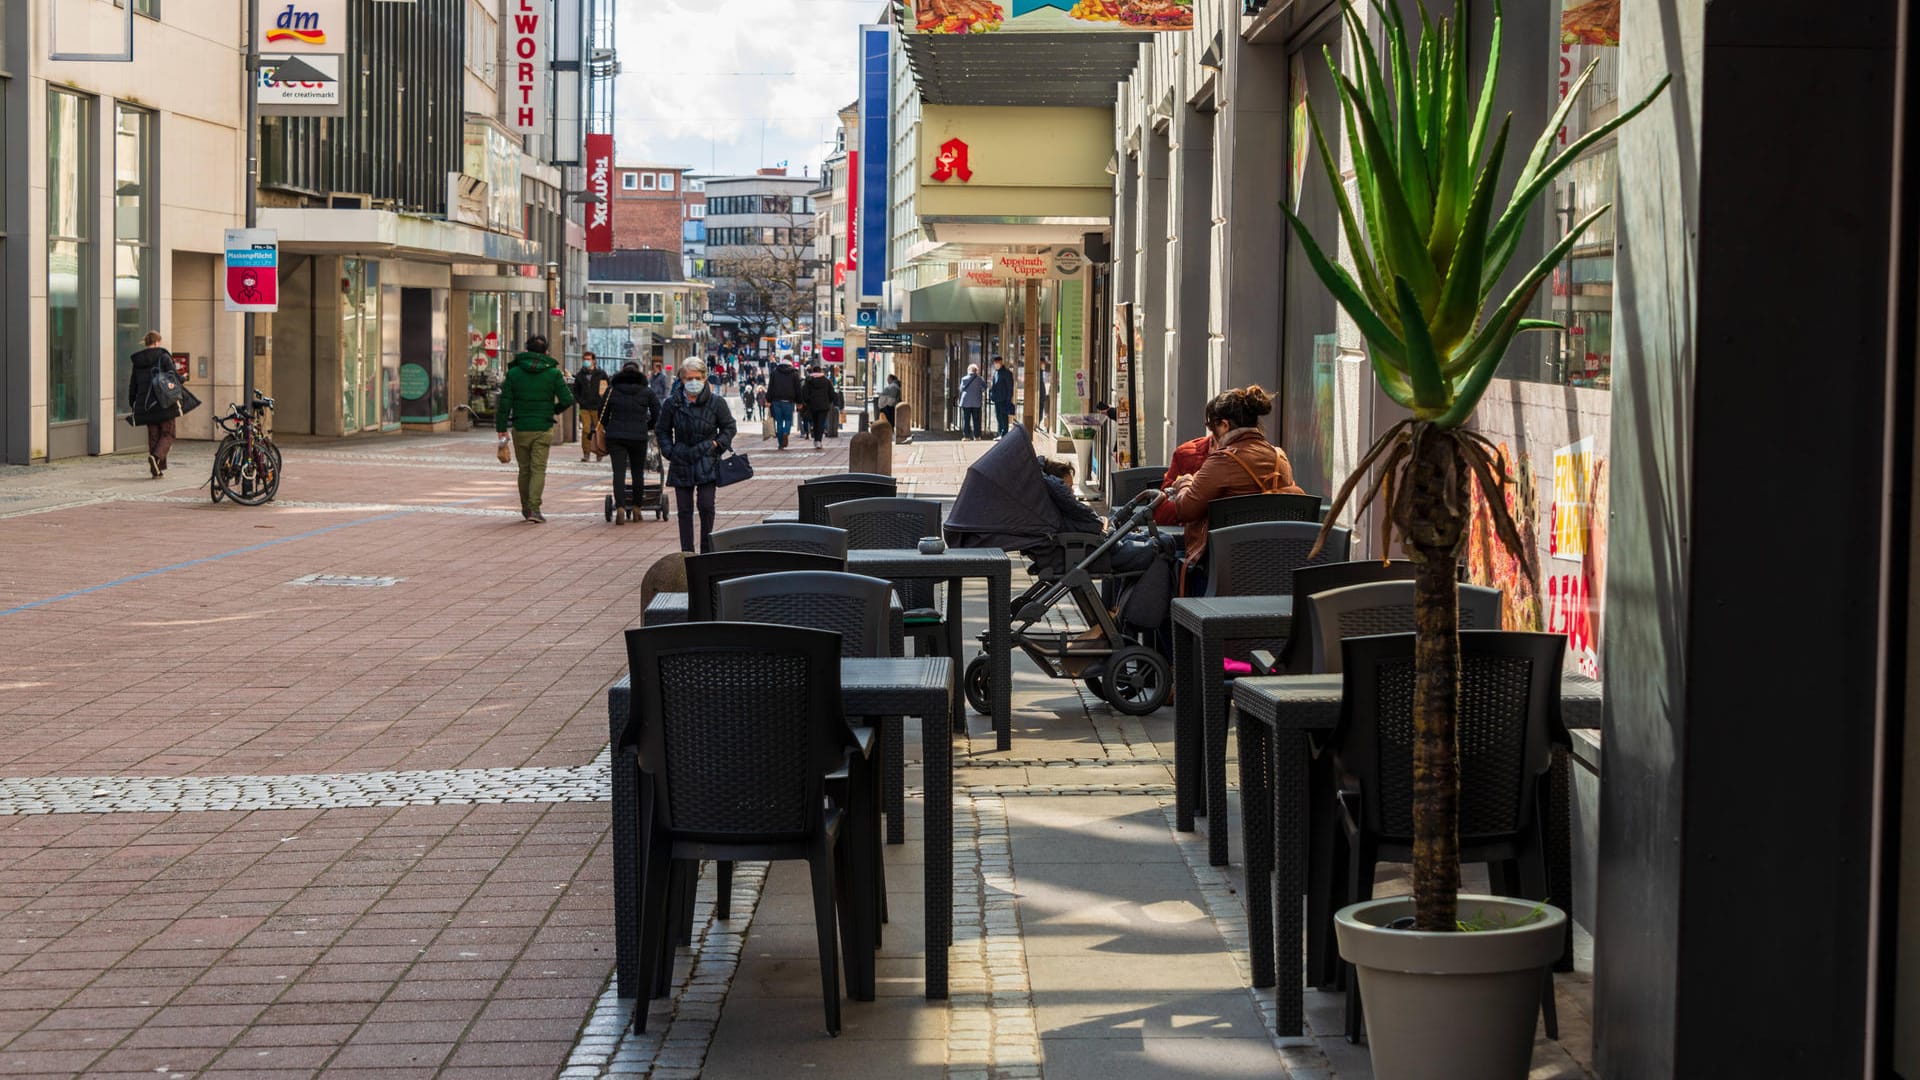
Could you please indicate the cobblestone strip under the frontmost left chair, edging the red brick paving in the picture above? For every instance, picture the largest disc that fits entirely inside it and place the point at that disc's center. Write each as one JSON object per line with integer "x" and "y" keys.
{"x": 683, "y": 1023}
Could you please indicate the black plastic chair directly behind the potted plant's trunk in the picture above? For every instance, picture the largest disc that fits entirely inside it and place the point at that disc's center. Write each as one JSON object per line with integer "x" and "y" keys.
{"x": 1508, "y": 729}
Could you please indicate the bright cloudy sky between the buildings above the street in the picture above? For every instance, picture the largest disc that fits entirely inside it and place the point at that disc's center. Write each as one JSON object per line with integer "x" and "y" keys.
{"x": 708, "y": 84}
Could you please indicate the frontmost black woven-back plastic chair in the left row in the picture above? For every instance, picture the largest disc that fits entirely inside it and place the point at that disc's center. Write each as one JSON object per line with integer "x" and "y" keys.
{"x": 738, "y": 729}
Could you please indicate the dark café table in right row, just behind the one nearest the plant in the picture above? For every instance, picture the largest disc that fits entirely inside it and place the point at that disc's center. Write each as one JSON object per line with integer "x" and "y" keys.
{"x": 1203, "y": 626}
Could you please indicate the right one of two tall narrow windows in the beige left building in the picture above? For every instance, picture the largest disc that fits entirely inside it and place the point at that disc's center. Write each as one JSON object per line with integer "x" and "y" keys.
{"x": 133, "y": 243}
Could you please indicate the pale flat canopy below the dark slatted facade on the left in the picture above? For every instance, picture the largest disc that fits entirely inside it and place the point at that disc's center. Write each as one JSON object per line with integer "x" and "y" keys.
{"x": 396, "y": 235}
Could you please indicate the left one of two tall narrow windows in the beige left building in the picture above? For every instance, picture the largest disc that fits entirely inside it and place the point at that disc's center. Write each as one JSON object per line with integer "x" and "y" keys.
{"x": 68, "y": 255}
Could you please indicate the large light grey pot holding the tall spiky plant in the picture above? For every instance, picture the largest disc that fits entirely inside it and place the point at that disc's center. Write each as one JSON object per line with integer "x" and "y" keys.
{"x": 1451, "y": 1006}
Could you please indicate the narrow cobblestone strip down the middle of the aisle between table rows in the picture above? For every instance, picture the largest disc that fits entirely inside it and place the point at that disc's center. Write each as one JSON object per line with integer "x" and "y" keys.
{"x": 992, "y": 1031}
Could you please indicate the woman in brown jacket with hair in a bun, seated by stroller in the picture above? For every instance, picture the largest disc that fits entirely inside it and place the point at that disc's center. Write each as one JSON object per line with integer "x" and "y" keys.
{"x": 1241, "y": 464}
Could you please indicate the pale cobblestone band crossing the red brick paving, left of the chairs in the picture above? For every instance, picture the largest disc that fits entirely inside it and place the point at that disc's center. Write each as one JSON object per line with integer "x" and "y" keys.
{"x": 427, "y": 787}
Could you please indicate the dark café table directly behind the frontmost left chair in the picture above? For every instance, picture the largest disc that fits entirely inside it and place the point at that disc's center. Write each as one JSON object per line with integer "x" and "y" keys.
{"x": 871, "y": 687}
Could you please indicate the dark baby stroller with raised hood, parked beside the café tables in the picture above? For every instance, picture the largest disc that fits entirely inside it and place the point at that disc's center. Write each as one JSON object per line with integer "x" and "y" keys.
{"x": 1005, "y": 504}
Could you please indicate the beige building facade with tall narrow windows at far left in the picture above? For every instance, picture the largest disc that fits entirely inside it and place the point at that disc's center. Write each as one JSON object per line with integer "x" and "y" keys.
{"x": 114, "y": 197}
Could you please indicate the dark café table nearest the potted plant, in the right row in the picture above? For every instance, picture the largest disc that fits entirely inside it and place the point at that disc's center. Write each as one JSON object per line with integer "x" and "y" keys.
{"x": 1276, "y": 718}
